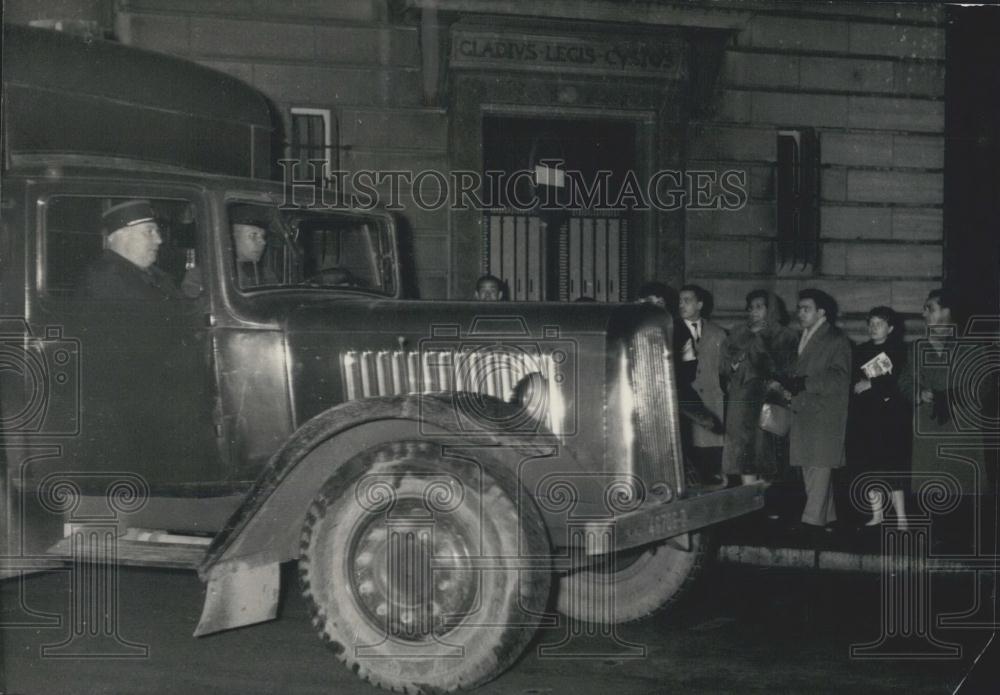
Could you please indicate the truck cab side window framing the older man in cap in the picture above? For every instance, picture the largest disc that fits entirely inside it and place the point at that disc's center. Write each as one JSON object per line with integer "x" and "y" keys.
{"x": 155, "y": 244}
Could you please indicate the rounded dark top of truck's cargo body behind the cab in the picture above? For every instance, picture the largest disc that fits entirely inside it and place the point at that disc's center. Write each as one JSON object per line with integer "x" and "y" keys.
{"x": 116, "y": 96}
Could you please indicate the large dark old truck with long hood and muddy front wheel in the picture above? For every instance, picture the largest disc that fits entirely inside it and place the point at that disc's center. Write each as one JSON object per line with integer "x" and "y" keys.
{"x": 447, "y": 475}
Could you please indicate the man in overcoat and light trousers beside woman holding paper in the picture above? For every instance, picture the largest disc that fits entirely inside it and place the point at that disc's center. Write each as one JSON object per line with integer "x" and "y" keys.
{"x": 819, "y": 390}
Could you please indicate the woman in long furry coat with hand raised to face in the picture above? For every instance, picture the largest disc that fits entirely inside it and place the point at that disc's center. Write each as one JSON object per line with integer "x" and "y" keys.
{"x": 752, "y": 357}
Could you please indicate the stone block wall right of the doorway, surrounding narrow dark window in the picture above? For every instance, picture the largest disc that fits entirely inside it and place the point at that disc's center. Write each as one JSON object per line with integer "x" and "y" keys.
{"x": 870, "y": 80}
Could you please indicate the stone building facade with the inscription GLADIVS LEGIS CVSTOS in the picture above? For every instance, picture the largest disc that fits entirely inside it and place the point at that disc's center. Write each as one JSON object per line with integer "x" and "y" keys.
{"x": 856, "y": 90}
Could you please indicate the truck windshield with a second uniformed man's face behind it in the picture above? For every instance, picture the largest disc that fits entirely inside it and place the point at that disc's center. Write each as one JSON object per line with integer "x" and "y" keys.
{"x": 274, "y": 248}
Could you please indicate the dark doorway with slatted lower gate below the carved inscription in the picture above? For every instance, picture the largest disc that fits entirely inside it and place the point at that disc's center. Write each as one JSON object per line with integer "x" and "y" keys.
{"x": 554, "y": 233}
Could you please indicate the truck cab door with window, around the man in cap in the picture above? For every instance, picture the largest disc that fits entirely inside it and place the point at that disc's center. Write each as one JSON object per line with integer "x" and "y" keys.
{"x": 143, "y": 378}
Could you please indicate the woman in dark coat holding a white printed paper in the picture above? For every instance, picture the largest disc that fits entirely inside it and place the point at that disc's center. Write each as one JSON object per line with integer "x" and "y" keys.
{"x": 880, "y": 422}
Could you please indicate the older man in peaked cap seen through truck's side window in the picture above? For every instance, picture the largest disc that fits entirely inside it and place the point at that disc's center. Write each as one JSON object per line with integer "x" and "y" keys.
{"x": 126, "y": 267}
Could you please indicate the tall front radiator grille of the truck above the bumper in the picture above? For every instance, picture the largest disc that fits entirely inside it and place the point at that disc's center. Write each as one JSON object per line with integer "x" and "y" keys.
{"x": 658, "y": 454}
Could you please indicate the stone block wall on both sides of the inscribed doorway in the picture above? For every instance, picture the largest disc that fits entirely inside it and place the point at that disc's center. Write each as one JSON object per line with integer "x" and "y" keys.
{"x": 868, "y": 77}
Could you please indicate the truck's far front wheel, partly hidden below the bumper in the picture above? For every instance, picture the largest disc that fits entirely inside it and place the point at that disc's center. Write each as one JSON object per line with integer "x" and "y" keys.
{"x": 640, "y": 582}
